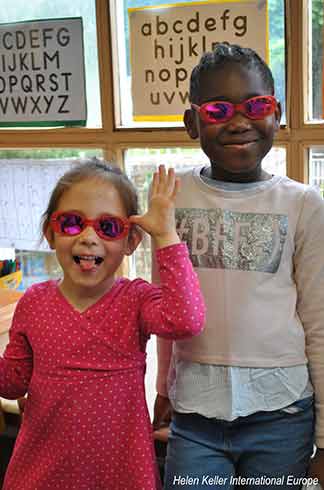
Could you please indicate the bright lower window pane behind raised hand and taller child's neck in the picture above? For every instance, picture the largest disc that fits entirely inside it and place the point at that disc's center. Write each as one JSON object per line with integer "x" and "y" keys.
{"x": 140, "y": 164}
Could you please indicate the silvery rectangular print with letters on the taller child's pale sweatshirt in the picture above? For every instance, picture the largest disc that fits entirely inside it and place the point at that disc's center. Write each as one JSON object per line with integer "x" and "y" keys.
{"x": 223, "y": 239}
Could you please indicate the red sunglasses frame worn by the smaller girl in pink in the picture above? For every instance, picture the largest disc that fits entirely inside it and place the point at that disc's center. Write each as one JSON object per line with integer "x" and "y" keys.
{"x": 95, "y": 223}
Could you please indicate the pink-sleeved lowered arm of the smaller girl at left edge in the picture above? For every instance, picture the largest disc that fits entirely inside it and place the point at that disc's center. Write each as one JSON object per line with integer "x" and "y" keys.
{"x": 16, "y": 365}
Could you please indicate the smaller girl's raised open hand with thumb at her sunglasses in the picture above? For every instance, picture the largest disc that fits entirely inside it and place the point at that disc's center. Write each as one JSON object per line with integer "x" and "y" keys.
{"x": 159, "y": 220}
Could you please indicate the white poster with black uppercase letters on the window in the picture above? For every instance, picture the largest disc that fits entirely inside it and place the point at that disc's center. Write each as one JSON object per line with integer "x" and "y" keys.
{"x": 42, "y": 81}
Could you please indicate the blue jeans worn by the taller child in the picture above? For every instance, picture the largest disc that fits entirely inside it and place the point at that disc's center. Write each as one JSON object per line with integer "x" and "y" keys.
{"x": 263, "y": 451}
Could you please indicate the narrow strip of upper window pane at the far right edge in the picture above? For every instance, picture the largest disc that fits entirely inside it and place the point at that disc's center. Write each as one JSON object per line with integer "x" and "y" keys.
{"x": 316, "y": 17}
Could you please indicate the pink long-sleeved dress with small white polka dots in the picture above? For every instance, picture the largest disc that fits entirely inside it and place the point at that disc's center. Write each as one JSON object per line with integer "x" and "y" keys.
{"x": 86, "y": 425}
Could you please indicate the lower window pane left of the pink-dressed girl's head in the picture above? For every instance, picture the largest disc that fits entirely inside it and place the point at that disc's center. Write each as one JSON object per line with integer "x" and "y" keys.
{"x": 27, "y": 177}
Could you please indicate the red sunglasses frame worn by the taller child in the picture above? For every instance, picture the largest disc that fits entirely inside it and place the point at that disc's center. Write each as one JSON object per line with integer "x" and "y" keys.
{"x": 235, "y": 108}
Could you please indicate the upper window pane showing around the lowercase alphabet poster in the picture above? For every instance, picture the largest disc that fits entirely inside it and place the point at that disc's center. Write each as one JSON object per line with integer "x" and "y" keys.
{"x": 122, "y": 62}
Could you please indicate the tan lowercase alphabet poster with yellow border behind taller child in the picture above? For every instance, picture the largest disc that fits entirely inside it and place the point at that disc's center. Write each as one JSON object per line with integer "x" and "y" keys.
{"x": 167, "y": 41}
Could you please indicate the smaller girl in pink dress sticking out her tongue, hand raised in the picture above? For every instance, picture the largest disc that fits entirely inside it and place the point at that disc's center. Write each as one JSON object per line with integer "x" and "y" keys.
{"x": 77, "y": 345}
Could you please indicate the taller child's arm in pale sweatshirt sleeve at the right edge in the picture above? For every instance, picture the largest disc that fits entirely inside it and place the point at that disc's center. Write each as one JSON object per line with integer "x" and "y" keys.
{"x": 309, "y": 277}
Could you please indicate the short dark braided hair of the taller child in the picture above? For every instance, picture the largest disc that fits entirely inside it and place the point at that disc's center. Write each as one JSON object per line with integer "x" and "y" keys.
{"x": 223, "y": 54}
